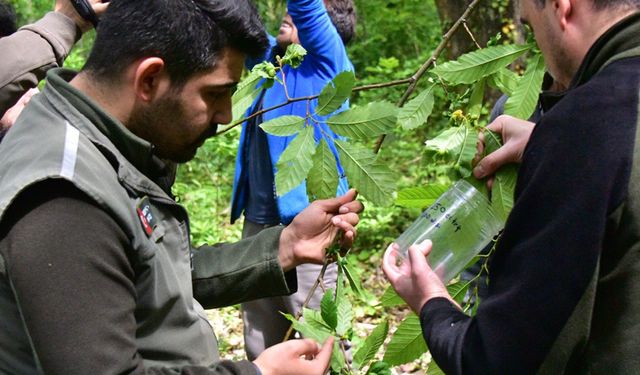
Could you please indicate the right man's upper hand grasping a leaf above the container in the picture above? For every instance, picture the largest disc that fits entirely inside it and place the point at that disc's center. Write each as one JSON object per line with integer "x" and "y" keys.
{"x": 515, "y": 136}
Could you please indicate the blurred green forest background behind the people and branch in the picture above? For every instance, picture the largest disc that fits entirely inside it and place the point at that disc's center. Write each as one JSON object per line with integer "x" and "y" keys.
{"x": 394, "y": 38}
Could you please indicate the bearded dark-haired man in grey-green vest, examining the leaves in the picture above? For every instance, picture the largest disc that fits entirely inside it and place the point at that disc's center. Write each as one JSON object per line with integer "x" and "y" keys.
{"x": 97, "y": 275}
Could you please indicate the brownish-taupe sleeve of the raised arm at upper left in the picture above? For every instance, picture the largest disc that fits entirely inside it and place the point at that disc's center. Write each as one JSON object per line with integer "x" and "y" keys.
{"x": 30, "y": 52}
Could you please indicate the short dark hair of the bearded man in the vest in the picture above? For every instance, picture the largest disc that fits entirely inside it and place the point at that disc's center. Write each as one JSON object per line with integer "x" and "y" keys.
{"x": 187, "y": 34}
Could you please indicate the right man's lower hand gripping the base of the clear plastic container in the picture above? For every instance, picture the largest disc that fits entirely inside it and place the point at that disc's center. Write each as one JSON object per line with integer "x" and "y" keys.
{"x": 413, "y": 279}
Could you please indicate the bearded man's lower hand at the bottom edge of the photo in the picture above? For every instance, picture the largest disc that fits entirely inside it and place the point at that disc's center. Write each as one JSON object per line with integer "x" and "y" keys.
{"x": 296, "y": 357}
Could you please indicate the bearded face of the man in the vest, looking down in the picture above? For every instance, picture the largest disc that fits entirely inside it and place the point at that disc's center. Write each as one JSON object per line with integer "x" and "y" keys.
{"x": 178, "y": 122}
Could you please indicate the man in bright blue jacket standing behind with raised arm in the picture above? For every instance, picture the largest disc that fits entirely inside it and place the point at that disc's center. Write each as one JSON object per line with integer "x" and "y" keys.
{"x": 322, "y": 28}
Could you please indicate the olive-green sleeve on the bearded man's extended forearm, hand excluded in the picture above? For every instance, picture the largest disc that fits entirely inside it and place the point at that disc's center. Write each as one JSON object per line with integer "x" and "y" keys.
{"x": 227, "y": 274}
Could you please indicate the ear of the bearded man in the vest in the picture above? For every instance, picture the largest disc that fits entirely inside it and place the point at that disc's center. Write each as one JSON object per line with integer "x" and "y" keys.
{"x": 151, "y": 78}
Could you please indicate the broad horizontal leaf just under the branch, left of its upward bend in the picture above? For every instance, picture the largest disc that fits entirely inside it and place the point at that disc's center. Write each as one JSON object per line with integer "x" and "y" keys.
{"x": 365, "y": 122}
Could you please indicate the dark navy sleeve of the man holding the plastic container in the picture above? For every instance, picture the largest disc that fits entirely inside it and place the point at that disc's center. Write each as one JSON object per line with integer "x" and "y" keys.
{"x": 574, "y": 176}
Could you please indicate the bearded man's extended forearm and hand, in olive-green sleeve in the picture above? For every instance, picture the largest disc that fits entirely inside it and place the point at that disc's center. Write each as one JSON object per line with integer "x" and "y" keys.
{"x": 227, "y": 274}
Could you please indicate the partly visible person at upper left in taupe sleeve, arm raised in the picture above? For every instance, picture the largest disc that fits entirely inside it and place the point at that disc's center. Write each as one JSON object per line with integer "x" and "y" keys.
{"x": 34, "y": 49}
